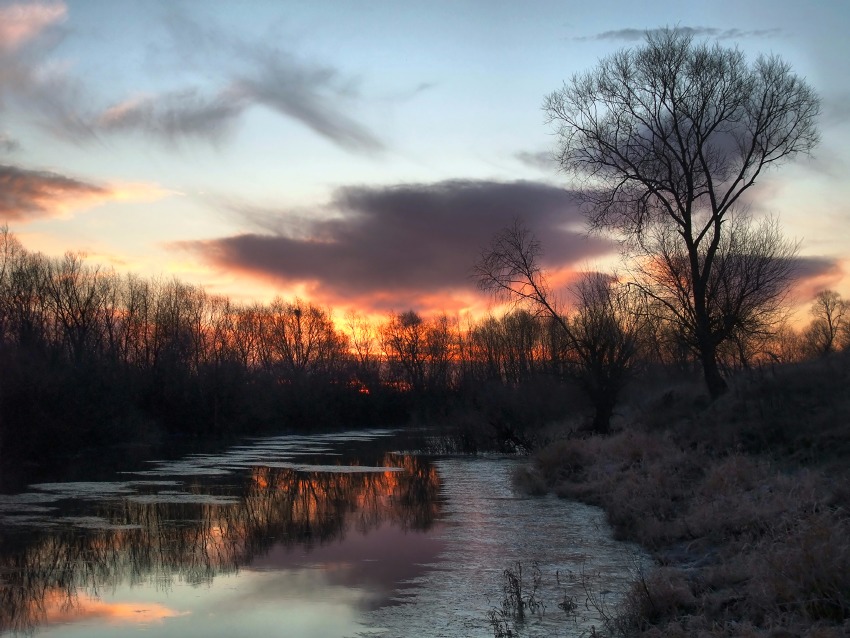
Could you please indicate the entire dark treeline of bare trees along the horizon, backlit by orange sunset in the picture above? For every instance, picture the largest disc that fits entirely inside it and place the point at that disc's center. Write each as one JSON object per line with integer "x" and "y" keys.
{"x": 89, "y": 357}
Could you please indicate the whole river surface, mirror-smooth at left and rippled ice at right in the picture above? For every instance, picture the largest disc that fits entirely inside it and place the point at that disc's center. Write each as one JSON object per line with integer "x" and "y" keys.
{"x": 325, "y": 536}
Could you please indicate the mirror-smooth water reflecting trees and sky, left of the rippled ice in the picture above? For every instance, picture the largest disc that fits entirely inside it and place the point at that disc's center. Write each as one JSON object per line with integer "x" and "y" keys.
{"x": 204, "y": 560}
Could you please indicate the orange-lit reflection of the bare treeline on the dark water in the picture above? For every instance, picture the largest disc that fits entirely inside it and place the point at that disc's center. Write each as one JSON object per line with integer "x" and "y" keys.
{"x": 151, "y": 541}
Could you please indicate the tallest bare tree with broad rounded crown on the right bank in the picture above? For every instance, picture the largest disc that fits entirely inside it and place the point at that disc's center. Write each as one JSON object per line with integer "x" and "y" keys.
{"x": 671, "y": 134}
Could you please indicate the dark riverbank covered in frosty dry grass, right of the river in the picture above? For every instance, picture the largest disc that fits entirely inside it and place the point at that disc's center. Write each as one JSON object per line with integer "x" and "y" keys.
{"x": 744, "y": 504}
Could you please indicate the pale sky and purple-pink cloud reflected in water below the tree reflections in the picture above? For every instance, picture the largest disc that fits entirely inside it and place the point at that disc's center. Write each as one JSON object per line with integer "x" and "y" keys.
{"x": 321, "y": 592}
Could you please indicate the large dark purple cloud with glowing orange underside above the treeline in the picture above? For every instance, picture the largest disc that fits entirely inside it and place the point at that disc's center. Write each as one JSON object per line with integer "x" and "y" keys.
{"x": 385, "y": 246}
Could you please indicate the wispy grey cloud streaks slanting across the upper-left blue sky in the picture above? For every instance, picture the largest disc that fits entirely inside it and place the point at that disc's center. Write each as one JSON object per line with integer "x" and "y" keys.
{"x": 244, "y": 74}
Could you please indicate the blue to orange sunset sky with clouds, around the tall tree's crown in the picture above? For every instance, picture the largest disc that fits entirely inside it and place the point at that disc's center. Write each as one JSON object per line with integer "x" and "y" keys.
{"x": 359, "y": 155}
